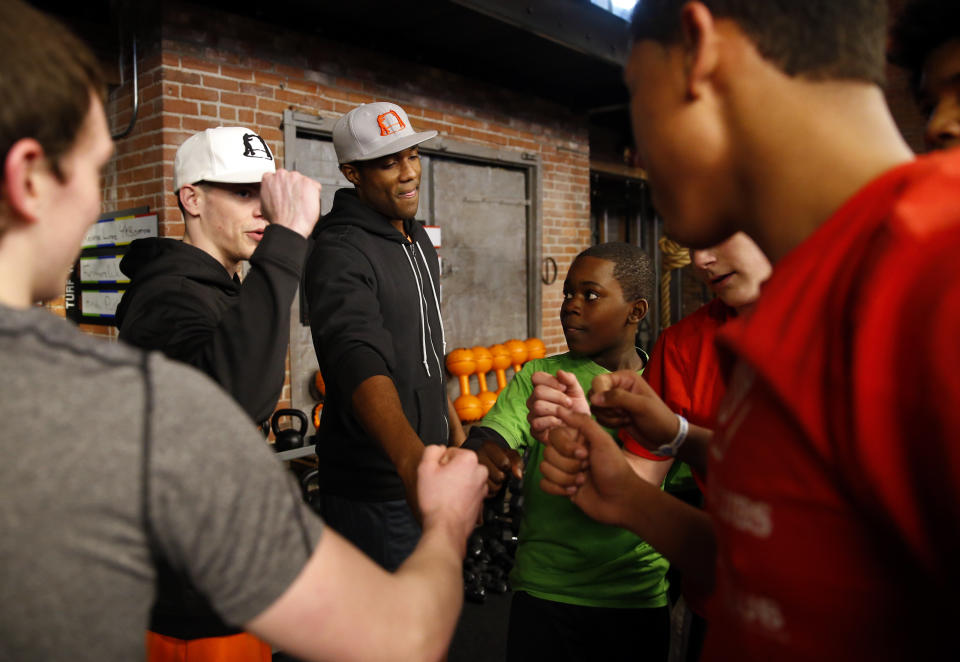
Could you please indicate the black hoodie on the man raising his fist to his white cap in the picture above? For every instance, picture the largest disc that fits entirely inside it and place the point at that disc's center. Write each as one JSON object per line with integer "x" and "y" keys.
{"x": 182, "y": 302}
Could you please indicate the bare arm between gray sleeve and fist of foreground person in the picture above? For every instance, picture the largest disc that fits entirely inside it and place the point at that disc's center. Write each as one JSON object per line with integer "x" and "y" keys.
{"x": 345, "y": 607}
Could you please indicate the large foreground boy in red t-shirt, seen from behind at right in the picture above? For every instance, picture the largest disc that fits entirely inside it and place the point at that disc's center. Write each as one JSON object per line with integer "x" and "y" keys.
{"x": 834, "y": 475}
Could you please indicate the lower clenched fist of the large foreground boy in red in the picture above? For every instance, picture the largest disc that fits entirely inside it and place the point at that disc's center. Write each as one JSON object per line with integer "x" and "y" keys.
{"x": 583, "y": 462}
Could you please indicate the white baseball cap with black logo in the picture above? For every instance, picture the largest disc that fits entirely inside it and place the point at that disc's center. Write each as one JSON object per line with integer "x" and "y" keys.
{"x": 228, "y": 154}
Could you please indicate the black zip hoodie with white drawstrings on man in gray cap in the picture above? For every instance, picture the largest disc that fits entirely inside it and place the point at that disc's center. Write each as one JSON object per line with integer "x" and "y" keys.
{"x": 374, "y": 310}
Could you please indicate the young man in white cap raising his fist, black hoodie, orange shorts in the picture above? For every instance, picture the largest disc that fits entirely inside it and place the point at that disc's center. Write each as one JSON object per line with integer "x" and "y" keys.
{"x": 186, "y": 300}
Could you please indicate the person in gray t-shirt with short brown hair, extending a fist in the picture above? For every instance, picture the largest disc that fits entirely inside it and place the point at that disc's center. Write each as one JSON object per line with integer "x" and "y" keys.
{"x": 113, "y": 459}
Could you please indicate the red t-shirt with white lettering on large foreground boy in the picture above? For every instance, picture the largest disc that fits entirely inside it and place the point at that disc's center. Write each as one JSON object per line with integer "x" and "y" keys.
{"x": 835, "y": 472}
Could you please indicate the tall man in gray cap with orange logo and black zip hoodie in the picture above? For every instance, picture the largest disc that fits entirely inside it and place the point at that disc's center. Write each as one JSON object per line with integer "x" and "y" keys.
{"x": 372, "y": 284}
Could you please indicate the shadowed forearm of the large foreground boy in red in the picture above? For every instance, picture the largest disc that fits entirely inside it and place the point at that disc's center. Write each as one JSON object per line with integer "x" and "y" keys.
{"x": 681, "y": 533}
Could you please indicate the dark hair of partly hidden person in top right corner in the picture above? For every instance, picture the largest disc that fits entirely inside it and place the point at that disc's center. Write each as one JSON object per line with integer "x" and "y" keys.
{"x": 921, "y": 28}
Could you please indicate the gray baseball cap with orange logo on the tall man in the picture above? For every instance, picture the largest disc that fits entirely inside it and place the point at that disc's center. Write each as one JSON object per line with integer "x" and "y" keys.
{"x": 372, "y": 130}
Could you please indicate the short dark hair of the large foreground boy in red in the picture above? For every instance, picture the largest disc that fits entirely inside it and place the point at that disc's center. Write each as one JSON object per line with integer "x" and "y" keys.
{"x": 816, "y": 39}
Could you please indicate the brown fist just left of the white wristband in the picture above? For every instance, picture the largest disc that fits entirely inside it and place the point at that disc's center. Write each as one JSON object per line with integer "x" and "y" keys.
{"x": 624, "y": 399}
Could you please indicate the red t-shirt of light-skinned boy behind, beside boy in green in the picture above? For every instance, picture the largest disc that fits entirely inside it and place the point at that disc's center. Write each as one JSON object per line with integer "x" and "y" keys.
{"x": 684, "y": 369}
